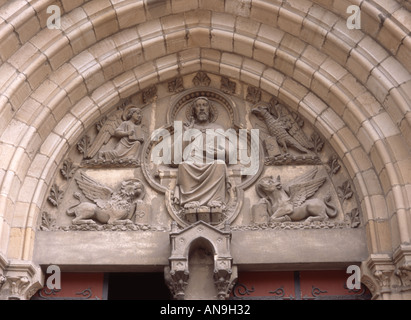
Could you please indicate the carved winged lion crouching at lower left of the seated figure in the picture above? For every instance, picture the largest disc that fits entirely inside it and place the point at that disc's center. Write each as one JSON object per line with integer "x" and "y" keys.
{"x": 107, "y": 206}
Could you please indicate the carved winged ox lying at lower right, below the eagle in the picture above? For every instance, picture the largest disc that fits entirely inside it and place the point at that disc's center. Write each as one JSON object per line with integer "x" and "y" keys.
{"x": 291, "y": 201}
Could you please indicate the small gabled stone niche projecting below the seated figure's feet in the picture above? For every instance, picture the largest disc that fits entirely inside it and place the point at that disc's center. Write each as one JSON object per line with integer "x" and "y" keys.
{"x": 190, "y": 248}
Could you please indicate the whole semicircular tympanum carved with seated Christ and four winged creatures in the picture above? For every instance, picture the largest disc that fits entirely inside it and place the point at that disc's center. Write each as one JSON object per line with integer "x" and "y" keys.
{"x": 313, "y": 189}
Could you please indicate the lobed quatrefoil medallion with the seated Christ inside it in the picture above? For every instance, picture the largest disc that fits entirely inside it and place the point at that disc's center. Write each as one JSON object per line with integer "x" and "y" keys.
{"x": 199, "y": 177}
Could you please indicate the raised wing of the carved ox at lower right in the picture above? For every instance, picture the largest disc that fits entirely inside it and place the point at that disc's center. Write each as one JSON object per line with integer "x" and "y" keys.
{"x": 302, "y": 190}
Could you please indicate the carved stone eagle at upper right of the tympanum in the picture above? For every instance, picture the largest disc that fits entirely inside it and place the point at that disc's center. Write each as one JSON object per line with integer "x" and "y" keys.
{"x": 283, "y": 127}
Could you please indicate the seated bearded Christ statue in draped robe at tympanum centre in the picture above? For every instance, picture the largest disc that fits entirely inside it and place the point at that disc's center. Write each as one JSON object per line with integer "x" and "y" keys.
{"x": 202, "y": 175}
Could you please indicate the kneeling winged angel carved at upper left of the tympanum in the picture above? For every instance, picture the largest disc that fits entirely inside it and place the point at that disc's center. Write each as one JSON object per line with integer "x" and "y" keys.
{"x": 126, "y": 126}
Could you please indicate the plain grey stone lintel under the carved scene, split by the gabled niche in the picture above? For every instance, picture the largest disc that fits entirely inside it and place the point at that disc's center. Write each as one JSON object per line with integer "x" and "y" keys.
{"x": 150, "y": 251}
